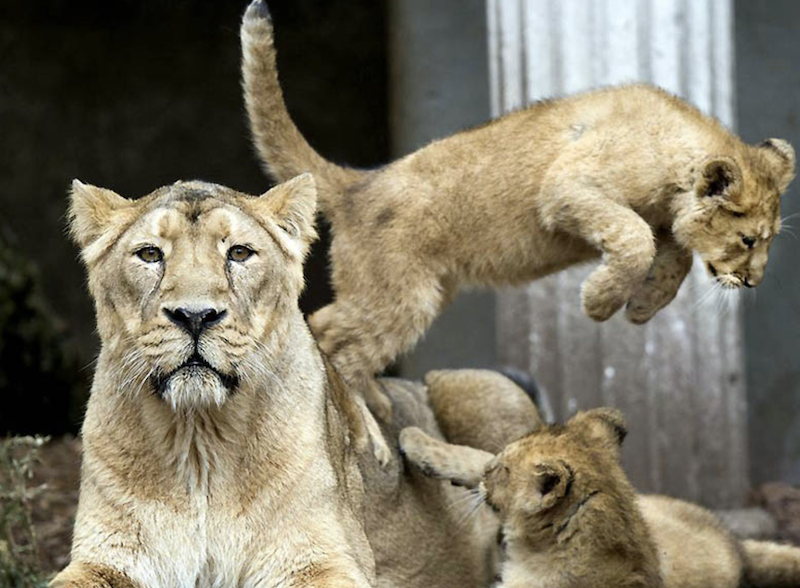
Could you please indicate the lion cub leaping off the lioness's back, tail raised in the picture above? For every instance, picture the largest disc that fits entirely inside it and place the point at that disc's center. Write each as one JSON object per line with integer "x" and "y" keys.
{"x": 632, "y": 174}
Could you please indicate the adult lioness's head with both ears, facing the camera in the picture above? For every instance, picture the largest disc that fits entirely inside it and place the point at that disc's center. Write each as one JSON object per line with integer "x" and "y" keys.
{"x": 194, "y": 284}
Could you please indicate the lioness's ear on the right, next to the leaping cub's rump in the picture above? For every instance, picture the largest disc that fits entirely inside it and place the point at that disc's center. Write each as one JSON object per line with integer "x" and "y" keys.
{"x": 292, "y": 206}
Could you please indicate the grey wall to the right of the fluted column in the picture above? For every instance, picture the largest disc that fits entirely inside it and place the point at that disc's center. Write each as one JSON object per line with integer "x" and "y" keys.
{"x": 768, "y": 94}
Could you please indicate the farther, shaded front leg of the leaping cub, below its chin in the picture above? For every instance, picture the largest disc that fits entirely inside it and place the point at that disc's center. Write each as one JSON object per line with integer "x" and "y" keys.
{"x": 671, "y": 265}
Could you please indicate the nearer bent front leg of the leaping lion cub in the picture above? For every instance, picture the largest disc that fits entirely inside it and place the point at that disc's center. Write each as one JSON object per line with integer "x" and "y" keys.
{"x": 624, "y": 238}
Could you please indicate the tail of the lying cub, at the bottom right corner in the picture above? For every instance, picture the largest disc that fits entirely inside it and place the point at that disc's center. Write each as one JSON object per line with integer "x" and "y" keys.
{"x": 771, "y": 565}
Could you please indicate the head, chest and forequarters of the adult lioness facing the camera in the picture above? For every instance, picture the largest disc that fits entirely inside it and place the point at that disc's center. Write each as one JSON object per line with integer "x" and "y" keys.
{"x": 217, "y": 445}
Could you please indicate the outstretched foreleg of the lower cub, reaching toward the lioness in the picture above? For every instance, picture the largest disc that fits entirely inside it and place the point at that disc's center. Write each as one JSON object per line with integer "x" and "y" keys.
{"x": 462, "y": 465}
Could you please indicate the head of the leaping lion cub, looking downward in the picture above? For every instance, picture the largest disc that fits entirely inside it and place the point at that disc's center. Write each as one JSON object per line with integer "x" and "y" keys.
{"x": 734, "y": 212}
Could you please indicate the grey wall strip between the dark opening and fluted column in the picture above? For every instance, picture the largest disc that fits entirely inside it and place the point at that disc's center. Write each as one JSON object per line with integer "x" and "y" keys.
{"x": 439, "y": 85}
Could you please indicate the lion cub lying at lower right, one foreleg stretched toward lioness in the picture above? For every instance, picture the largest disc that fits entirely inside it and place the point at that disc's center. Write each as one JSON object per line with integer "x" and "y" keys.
{"x": 570, "y": 517}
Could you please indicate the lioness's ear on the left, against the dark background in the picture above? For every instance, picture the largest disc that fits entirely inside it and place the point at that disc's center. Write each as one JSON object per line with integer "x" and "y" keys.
{"x": 92, "y": 210}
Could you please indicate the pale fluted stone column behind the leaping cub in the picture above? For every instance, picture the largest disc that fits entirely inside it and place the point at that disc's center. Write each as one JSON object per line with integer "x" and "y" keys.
{"x": 678, "y": 379}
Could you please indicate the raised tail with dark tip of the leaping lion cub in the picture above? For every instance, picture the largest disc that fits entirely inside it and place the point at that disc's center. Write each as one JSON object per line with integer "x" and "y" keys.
{"x": 282, "y": 148}
